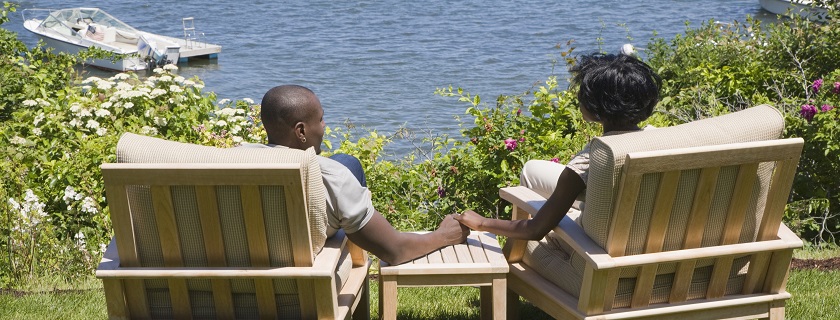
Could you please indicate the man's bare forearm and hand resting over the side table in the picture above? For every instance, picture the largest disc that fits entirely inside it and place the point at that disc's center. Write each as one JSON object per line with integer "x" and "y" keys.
{"x": 394, "y": 247}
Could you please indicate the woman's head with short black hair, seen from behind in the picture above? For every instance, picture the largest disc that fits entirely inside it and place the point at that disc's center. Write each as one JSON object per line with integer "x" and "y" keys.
{"x": 616, "y": 90}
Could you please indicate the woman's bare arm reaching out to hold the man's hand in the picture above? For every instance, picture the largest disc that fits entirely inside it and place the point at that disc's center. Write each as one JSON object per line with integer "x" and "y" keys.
{"x": 569, "y": 185}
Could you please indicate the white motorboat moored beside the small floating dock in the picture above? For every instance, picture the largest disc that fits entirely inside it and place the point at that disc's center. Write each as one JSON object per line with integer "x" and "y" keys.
{"x": 77, "y": 29}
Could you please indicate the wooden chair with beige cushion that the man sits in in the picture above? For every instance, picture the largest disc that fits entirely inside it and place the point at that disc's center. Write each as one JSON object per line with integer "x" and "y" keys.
{"x": 201, "y": 232}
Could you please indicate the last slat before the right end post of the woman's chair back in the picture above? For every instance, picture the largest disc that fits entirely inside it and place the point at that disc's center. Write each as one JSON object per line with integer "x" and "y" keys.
{"x": 744, "y": 183}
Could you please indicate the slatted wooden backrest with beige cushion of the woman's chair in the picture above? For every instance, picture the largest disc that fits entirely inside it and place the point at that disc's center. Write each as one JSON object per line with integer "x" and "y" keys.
{"x": 731, "y": 191}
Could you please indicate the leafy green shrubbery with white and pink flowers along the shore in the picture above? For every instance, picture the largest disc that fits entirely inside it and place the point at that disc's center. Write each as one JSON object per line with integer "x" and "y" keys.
{"x": 57, "y": 128}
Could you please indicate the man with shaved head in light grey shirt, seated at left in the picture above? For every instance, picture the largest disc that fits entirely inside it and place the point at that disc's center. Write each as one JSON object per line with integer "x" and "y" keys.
{"x": 293, "y": 117}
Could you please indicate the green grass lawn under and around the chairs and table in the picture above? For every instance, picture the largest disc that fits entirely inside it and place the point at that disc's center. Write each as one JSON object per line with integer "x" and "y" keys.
{"x": 814, "y": 297}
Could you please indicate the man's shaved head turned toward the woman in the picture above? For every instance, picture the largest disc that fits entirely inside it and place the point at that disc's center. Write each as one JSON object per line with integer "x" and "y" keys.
{"x": 293, "y": 117}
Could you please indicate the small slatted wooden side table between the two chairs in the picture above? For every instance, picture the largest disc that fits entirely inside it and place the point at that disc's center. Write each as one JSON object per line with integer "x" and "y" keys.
{"x": 478, "y": 262}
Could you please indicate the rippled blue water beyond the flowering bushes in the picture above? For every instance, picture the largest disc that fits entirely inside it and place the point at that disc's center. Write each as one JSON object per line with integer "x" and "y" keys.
{"x": 377, "y": 63}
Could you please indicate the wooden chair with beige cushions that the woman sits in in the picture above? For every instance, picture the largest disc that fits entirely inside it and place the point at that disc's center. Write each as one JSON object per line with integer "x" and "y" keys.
{"x": 679, "y": 223}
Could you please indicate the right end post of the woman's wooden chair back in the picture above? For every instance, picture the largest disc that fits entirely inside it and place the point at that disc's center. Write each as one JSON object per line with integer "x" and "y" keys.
{"x": 777, "y": 198}
